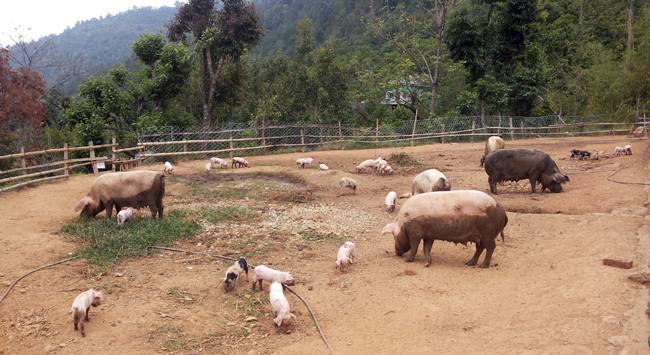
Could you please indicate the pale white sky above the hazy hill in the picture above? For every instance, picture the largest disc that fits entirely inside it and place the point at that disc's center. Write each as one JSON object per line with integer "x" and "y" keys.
{"x": 45, "y": 17}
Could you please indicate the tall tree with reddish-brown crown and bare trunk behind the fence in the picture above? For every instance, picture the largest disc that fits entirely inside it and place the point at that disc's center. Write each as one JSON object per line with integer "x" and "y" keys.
{"x": 220, "y": 34}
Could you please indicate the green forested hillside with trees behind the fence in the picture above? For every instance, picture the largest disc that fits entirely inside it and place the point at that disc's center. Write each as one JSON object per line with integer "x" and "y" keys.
{"x": 207, "y": 63}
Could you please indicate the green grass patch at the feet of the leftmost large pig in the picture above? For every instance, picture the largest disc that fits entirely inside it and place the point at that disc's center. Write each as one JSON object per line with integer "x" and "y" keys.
{"x": 106, "y": 243}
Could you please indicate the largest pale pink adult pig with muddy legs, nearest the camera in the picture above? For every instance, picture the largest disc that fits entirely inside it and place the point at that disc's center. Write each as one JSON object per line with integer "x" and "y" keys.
{"x": 460, "y": 216}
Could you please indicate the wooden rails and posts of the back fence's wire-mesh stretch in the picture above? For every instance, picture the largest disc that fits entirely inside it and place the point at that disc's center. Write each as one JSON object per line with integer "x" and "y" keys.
{"x": 294, "y": 138}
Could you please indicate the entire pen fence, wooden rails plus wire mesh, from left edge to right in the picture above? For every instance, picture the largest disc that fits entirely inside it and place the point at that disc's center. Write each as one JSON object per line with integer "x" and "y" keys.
{"x": 161, "y": 143}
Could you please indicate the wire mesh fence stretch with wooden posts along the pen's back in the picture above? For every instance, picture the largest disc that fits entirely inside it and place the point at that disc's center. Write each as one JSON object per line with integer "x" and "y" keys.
{"x": 256, "y": 138}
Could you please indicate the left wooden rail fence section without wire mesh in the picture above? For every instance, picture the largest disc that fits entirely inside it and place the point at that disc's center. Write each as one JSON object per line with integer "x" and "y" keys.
{"x": 68, "y": 164}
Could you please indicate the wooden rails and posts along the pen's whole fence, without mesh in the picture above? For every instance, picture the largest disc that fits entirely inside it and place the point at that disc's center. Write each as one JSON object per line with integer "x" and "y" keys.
{"x": 122, "y": 159}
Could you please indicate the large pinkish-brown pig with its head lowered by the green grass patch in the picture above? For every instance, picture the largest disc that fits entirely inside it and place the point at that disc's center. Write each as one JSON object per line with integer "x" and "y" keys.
{"x": 134, "y": 188}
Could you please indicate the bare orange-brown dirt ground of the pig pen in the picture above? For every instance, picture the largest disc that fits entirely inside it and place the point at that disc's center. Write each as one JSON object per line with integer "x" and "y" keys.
{"x": 547, "y": 291}
